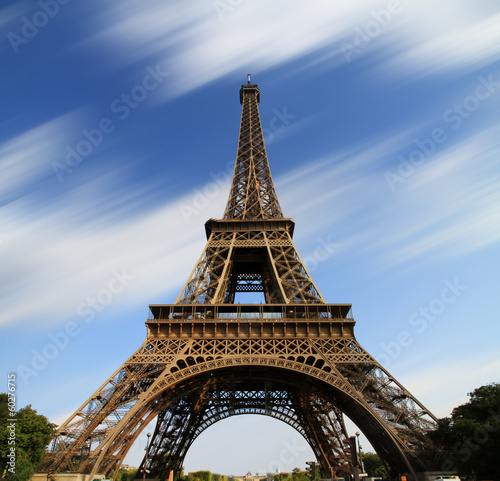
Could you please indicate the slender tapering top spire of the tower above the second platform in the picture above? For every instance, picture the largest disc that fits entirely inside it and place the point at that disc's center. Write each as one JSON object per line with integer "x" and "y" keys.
{"x": 252, "y": 194}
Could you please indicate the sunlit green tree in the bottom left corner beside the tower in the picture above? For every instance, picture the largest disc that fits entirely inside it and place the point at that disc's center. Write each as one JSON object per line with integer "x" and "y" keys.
{"x": 29, "y": 435}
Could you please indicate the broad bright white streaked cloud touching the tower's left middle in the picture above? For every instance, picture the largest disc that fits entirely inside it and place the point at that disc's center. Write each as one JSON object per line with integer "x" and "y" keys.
{"x": 56, "y": 256}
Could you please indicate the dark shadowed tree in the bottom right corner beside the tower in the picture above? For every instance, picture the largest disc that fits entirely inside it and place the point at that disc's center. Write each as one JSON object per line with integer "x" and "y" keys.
{"x": 471, "y": 436}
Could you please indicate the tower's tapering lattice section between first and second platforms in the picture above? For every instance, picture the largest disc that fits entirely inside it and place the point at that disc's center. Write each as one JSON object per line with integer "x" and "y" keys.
{"x": 267, "y": 261}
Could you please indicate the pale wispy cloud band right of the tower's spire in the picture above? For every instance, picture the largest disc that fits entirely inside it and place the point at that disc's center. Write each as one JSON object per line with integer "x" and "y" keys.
{"x": 350, "y": 193}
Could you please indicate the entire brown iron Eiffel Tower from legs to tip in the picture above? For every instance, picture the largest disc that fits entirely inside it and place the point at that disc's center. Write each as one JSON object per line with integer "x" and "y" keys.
{"x": 206, "y": 358}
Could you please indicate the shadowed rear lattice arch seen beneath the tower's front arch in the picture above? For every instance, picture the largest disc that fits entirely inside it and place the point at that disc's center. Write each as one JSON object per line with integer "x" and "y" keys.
{"x": 178, "y": 426}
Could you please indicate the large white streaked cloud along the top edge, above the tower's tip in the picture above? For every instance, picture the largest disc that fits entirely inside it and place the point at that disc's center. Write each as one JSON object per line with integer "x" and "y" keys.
{"x": 200, "y": 43}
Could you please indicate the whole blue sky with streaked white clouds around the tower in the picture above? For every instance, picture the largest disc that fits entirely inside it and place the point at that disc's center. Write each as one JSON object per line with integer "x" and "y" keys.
{"x": 119, "y": 124}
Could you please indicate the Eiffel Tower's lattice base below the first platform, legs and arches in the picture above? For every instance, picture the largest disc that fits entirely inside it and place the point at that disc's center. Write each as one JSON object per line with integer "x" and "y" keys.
{"x": 304, "y": 382}
